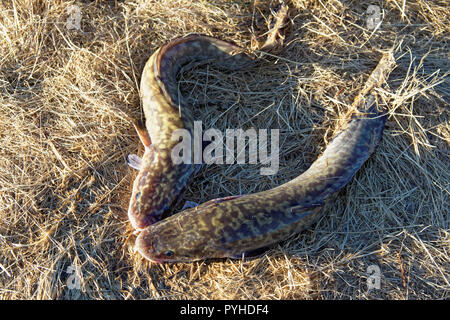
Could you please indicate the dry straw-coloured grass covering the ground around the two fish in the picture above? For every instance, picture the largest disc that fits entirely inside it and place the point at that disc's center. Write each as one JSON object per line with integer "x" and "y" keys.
{"x": 66, "y": 102}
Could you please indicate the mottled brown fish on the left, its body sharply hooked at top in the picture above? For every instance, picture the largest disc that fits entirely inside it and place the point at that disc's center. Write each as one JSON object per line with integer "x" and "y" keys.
{"x": 160, "y": 181}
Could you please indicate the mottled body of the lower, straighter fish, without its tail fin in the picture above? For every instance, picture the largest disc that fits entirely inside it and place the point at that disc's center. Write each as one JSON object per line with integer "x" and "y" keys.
{"x": 230, "y": 228}
